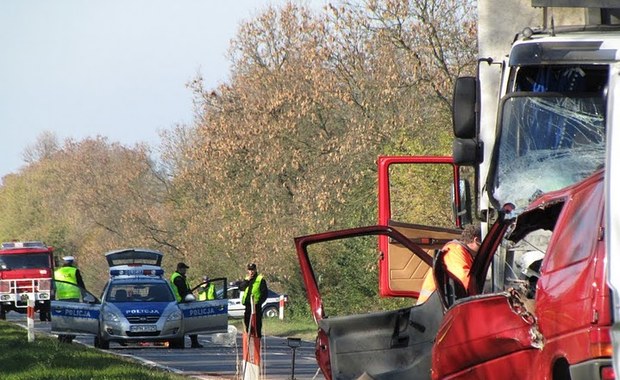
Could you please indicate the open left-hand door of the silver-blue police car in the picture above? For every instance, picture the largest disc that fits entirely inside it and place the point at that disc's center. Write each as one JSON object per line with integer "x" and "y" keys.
{"x": 77, "y": 315}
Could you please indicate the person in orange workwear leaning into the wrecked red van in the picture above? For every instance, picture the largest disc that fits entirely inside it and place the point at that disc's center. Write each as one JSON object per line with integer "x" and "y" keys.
{"x": 458, "y": 258}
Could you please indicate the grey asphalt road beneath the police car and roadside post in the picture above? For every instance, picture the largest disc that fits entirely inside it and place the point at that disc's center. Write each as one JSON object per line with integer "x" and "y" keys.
{"x": 219, "y": 359}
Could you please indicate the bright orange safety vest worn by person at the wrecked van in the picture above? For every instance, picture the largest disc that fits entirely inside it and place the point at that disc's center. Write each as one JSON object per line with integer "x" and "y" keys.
{"x": 458, "y": 259}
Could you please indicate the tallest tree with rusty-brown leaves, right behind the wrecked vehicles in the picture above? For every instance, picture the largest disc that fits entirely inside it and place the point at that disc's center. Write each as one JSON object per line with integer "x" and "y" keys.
{"x": 288, "y": 147}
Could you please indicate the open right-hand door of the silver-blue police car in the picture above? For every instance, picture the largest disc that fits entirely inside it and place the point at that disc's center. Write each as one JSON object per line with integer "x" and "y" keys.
{"x": 206, "y": 316}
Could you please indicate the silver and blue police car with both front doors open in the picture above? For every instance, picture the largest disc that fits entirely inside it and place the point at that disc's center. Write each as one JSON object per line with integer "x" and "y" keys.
{"x": 137, "y": 305}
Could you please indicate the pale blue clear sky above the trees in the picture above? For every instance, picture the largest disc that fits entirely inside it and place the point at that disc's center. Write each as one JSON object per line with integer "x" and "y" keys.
{"x": 112, "y": 68}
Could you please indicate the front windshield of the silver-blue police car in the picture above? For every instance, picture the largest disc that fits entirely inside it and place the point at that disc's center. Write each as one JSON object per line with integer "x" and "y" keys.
{"x": 143, "y": 292}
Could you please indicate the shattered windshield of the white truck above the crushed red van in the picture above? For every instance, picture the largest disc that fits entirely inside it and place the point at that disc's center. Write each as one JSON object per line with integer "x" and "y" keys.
{"x": 546, "y": 141}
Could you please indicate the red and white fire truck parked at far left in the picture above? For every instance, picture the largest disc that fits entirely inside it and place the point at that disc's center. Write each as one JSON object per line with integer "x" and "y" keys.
{"x": 26, "y": 271}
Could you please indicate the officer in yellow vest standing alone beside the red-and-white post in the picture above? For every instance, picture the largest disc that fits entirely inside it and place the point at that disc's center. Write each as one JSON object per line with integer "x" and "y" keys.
{"x": 255, "y": 290}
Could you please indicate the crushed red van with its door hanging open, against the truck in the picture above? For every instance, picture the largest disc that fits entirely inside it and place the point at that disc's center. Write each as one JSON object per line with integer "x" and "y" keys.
{"x": 537, "y": 305}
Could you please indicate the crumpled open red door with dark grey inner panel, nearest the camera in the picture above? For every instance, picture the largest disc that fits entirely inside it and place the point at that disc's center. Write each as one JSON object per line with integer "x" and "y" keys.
{"x": 393, "y": 344}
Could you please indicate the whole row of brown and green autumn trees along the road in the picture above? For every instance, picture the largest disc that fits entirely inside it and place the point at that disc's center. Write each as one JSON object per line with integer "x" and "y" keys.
{"x": 286, "y": 147}
